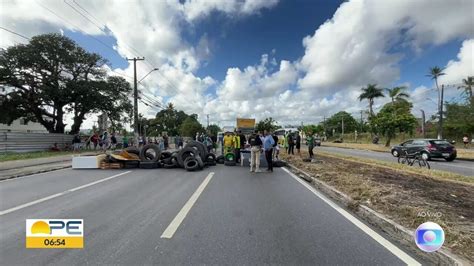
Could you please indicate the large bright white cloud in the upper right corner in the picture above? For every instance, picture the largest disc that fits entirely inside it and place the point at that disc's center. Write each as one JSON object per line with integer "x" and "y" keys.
{"x": 355, "y": 46}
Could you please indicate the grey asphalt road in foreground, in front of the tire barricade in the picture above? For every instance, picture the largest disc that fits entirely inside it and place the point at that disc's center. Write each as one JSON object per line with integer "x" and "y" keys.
{"x": 239, "y": 218}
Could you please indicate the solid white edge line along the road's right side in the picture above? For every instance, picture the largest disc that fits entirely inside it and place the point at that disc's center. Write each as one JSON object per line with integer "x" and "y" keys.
{"x": 382, "y": 241}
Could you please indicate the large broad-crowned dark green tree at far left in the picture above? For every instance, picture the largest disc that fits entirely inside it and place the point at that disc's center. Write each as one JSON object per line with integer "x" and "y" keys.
{"x": 51, "y": 76}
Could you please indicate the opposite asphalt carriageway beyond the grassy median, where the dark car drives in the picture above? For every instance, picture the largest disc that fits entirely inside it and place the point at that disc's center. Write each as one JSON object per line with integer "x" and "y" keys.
{"x": 457, "y": 166}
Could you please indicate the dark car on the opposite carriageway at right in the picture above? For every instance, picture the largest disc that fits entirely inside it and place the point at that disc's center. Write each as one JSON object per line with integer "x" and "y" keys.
{"x": 429, "y": 148}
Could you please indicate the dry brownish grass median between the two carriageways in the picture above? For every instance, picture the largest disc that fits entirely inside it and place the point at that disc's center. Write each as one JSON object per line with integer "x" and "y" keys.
{"x": 408, "y": 199}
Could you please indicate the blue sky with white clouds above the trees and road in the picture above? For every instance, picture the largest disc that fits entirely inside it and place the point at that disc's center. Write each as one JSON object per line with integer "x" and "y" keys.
{"x": 294, "y": 60}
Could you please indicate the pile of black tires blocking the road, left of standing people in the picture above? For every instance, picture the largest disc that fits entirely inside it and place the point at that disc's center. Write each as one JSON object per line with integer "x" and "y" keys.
{"x": 192, "y": 157}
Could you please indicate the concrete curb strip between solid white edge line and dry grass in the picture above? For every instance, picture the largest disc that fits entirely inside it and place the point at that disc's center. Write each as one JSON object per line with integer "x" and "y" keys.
{"x": 399, "y": 234}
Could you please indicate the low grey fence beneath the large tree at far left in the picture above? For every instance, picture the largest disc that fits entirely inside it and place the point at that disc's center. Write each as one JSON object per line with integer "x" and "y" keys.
{"x": 26, "y": 142}
